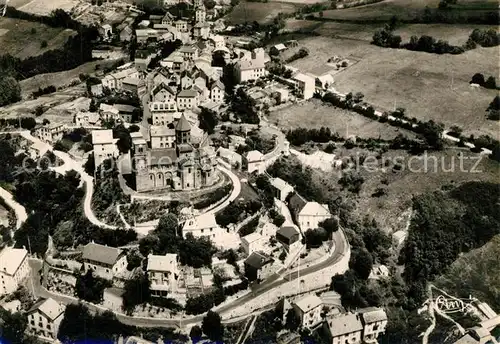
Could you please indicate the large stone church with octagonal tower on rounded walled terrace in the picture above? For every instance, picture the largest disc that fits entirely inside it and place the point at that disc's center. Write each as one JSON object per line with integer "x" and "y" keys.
{"x": 172, "y": 161}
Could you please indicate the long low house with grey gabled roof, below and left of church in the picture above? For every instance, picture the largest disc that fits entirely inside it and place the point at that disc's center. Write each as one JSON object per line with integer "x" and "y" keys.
{"x": 106, "y": 262}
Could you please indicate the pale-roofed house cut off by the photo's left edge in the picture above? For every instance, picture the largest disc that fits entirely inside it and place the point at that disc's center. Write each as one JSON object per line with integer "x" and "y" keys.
{"x": 14, "y": 269}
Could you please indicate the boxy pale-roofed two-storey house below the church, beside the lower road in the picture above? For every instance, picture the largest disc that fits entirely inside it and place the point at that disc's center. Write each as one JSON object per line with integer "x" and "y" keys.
{"x": 163, "y": 274}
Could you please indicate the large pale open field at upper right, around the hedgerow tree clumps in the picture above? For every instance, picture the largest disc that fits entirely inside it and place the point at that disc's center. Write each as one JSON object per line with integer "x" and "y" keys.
{"x": 429, "y": 86}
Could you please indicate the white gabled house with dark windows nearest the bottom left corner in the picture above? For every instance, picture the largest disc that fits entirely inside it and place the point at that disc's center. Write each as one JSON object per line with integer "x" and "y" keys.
{"x": 44, "y": 318}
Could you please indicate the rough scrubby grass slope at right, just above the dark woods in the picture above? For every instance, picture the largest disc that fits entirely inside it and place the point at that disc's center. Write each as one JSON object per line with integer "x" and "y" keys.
{"x": 392, "y": 209}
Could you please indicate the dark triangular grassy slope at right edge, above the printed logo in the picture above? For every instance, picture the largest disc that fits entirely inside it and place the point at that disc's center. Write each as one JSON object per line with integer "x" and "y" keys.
{"x": 476, "y": 273}
